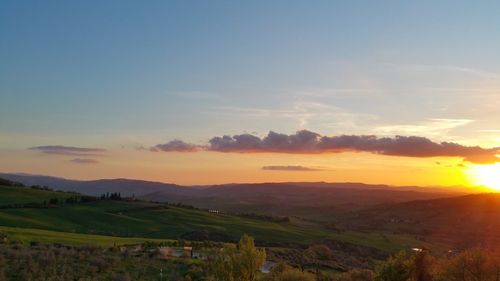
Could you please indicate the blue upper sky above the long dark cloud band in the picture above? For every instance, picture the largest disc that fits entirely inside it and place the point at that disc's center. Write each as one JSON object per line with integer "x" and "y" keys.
{"x": 132, "y": 73}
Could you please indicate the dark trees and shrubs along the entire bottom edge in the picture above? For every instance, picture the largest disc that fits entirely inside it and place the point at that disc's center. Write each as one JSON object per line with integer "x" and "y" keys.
{"x": 241, "y": 262}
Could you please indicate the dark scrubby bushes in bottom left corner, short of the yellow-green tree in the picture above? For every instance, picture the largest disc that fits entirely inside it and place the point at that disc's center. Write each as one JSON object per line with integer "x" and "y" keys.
{"x": 63, "y": 263}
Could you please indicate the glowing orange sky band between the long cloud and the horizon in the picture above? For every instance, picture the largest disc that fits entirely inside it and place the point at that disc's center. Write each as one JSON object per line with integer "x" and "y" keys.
{"x": 213, "y": 167}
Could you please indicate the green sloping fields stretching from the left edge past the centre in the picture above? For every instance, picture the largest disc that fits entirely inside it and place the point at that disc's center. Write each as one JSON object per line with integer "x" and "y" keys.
{"x": 107, "y": 220}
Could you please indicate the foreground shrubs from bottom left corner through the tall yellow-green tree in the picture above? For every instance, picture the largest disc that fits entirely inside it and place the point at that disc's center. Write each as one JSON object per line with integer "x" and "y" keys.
{"x": 61, "y": 263}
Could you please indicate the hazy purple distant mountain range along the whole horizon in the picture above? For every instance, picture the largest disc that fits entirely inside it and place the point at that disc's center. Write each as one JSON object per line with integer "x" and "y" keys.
{"x": 317, "y": 200}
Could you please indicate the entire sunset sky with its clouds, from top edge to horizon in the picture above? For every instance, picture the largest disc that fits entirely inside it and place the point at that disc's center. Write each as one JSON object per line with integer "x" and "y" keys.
{"x": 394, "y": 92}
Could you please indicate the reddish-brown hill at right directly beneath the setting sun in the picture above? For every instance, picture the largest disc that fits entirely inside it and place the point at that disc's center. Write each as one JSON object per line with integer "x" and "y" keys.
{"x": 459, "y": 221}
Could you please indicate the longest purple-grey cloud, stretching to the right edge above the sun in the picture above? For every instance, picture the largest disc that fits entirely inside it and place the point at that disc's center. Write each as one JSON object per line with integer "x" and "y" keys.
{"x": 307, "y": 142}
